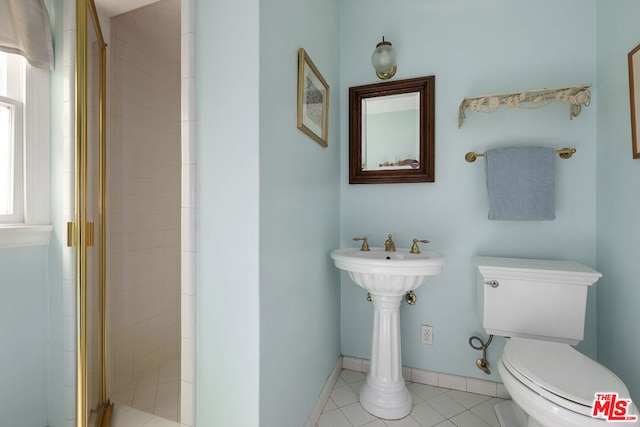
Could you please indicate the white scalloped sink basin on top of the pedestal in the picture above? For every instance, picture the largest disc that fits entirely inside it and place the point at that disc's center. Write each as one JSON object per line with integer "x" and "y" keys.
{"x": 388, "y": 273}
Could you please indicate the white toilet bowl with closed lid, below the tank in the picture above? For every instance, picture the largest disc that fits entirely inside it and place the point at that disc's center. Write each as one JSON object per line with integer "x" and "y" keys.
{"x": 555, "y": 385}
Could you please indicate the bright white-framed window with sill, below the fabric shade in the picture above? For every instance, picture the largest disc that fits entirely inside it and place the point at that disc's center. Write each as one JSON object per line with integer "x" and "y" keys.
{"x": 24, "y": 153}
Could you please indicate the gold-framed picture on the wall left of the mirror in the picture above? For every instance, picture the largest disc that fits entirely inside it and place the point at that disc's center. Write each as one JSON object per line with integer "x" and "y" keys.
{"x": 313, "y": 100}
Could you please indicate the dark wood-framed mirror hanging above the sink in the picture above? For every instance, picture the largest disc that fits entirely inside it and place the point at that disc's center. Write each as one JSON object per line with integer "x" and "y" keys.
{"x": 392, "y": 132}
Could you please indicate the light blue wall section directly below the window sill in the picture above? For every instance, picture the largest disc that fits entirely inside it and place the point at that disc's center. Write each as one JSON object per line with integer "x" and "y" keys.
{"x": 23, "y": 337}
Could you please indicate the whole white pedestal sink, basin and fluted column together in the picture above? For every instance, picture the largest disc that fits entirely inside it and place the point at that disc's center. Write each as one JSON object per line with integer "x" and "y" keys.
{"x": 388, "y": 276}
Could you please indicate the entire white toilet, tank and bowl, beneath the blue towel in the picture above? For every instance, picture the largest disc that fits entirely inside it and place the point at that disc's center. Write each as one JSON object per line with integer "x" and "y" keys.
{"x": 539, "y": 307}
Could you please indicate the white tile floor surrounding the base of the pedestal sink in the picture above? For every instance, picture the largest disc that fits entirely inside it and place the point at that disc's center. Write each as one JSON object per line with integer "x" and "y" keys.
{"x": 432, "y": 406}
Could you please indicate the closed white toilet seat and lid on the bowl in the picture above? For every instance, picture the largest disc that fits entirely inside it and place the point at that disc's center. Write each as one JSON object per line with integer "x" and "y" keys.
{"x": 559, "y": 373}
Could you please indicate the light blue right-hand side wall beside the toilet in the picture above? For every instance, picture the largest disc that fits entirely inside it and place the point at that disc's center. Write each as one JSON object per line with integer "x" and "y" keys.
{"x": 618, "y": 238}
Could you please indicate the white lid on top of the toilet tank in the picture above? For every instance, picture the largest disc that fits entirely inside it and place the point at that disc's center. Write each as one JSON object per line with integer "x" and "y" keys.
{"x": 536, "y": 269}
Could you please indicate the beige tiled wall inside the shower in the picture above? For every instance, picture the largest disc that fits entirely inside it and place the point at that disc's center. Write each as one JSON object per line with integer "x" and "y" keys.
{"x": 144, "y": 170}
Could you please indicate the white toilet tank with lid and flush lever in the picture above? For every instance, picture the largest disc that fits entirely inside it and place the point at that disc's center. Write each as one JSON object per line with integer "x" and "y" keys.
{"x": 539, "y": 299}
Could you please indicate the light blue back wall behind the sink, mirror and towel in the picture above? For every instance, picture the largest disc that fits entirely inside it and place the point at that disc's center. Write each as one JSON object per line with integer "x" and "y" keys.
{"x": 472, "y": 48}
